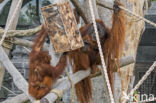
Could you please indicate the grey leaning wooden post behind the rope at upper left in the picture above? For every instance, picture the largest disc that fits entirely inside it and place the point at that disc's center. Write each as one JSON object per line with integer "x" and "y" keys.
{"x": 12, "y": 27}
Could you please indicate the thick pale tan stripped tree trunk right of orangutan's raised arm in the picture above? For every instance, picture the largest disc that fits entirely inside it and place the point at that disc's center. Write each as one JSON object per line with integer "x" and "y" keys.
{"x": 134, "y": 31}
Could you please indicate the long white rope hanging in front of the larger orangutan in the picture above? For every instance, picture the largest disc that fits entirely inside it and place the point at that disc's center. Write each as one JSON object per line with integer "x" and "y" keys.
{"x": 104, "y": 70}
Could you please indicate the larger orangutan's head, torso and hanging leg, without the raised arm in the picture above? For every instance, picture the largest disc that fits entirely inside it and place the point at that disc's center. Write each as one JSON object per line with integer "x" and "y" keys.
{"x": 88, "y": 57}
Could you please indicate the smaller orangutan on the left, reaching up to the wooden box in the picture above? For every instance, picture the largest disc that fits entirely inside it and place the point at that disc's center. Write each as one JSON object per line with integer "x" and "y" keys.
{"x": 41, "y": 73}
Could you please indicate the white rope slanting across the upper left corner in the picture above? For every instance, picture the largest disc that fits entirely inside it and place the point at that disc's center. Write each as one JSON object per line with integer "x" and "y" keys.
{"x": 10, "y": 22}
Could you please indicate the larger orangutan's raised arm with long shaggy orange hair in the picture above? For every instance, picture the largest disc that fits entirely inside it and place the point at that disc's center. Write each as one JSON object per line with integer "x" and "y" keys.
{"x": 113, "y": 47}
